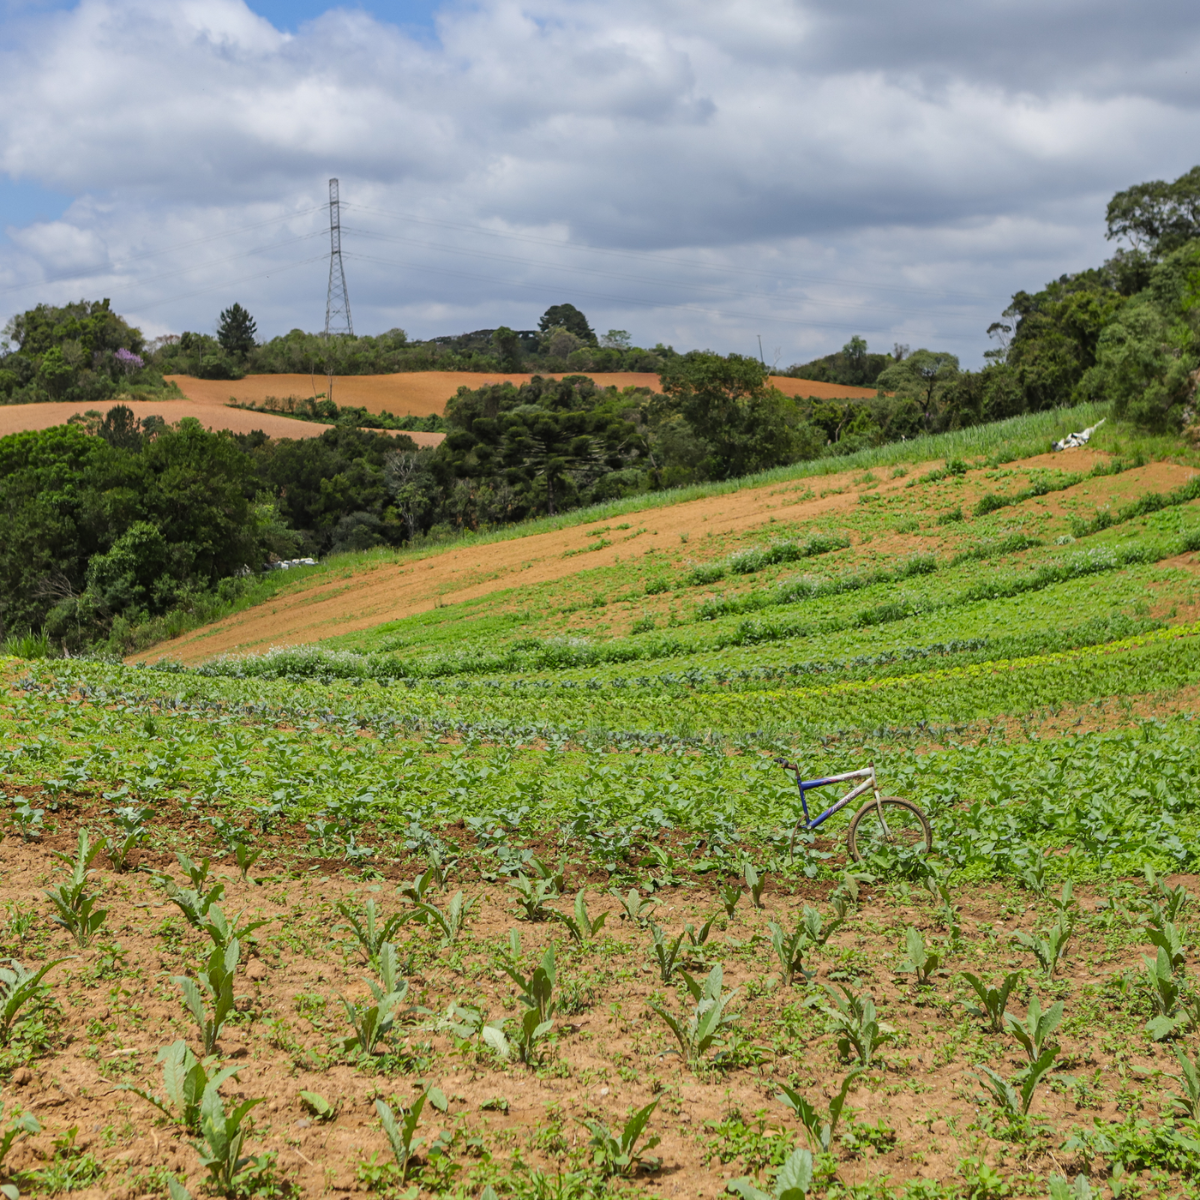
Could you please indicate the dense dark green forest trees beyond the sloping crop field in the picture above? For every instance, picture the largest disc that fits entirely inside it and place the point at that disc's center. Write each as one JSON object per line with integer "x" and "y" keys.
{"x": 112, "y": 523}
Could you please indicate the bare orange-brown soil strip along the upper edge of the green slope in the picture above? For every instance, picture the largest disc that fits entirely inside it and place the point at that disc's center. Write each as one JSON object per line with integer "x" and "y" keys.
{"x": 386, "y": 592}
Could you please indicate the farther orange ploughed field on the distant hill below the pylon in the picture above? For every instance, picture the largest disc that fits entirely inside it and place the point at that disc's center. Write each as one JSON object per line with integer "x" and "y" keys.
{"x": 423, "y": 393}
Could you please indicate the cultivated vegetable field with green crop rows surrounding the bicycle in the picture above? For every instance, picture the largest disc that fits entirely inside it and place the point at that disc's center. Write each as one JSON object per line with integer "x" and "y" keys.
{"x": 502, "y": 898}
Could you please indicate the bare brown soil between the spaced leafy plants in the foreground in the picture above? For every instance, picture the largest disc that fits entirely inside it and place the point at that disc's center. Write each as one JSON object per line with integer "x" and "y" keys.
{"x": 610, "y": 1054}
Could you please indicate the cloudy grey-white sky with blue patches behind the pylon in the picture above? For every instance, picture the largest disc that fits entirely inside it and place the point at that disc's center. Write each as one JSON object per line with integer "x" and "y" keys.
{"x": 705, "y": 175}
